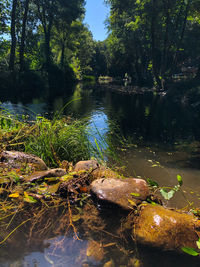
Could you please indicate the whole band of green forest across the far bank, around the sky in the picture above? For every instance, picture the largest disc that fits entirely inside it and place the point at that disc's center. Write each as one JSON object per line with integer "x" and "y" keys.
{"x": 154, "y": 41}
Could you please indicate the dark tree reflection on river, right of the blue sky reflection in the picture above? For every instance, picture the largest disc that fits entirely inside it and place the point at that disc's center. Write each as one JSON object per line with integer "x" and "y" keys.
{"x": 152, "y": 117}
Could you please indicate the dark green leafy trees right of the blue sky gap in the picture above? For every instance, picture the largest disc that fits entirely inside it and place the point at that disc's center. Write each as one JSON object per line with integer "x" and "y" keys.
{"x": 152, "y": 39}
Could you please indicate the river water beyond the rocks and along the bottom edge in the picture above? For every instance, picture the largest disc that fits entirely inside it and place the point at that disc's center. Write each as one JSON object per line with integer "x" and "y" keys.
{"x": 163, "y": 136}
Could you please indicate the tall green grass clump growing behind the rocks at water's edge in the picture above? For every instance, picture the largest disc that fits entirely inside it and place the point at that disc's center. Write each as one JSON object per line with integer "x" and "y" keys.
{"x": 59, "y": 140}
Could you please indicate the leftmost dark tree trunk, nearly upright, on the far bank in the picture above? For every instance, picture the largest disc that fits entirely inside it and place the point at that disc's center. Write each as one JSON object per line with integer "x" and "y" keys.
{"x": 13, "y": 36}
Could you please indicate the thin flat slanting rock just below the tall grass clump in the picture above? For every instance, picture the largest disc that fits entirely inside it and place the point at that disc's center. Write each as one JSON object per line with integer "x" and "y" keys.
{"x": 45, "y": 174}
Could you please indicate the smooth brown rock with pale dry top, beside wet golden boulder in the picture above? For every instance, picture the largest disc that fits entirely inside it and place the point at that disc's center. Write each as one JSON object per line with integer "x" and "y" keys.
{"x": 125, "y": 193}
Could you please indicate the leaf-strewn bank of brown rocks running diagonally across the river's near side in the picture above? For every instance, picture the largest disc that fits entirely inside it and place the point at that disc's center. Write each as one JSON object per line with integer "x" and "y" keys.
{"x": 26, "y": 178}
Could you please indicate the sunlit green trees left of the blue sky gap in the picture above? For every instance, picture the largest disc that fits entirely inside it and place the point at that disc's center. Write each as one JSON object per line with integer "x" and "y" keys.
{"x": 45, "y": 34}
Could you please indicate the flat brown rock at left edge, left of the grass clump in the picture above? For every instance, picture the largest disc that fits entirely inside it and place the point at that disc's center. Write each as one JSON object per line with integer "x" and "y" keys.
{"x": 15, "y": 159}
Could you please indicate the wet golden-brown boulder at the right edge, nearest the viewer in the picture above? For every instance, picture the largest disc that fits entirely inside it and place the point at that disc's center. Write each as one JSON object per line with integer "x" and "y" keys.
{"x": 166, "y": 229}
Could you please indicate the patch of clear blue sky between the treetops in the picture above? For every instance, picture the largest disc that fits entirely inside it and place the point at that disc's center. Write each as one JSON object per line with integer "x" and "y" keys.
{"x": 96, "y": 13}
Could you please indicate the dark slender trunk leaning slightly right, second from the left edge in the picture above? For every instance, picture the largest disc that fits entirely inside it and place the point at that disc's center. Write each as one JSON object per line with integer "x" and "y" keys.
{"x": 22, "y": 46}
